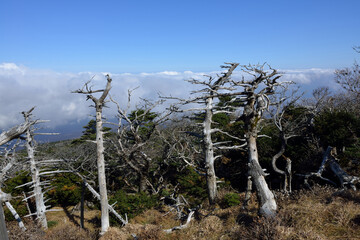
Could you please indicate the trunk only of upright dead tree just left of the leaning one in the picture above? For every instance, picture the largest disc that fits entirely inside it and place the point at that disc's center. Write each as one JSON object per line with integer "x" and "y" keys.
{"x": 209, "y": 153}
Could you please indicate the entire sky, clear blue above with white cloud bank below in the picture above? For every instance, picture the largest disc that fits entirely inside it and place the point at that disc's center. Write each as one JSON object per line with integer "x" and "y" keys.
{"x": 48, "y": 48}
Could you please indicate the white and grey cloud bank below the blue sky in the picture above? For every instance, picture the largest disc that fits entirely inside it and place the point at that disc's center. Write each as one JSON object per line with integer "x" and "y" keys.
{"x": 22, "y": 88}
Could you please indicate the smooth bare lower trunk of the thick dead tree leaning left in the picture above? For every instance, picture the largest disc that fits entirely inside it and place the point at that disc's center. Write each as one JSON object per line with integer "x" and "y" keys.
{"x": 267, "y": 201}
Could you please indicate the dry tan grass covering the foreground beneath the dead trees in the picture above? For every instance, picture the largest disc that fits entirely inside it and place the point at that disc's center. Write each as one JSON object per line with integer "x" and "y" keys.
{"x": 322, "y": 213}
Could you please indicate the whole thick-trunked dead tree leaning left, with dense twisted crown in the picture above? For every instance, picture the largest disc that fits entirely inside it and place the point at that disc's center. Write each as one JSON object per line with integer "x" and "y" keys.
{"x": 255, "y": 100}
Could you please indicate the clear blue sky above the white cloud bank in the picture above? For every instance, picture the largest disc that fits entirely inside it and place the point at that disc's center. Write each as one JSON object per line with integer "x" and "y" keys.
{"x": 151, "y": 36}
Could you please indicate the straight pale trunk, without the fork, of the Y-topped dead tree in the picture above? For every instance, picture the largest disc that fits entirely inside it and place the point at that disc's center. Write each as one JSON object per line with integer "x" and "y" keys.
{"x": 105, "y": 222}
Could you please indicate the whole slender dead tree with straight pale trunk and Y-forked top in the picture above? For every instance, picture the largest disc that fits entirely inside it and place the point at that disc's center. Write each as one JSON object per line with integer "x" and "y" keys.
{"x": 99, "y": 104}
